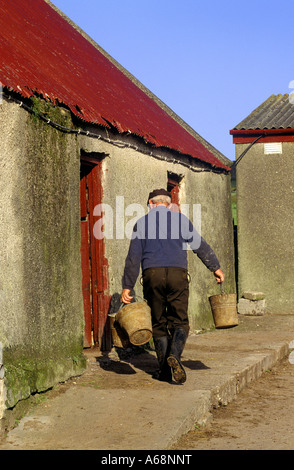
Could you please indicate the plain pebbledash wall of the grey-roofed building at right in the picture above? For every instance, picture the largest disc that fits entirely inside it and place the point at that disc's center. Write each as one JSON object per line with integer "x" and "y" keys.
{"x": 265, "y": 201}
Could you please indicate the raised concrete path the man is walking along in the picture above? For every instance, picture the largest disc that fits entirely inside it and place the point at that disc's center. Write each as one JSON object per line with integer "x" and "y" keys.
{"x": 116, "y": 405}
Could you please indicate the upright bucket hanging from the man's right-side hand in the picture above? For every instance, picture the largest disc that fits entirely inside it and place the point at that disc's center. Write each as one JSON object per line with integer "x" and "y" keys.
{"x": 224, "y": 310}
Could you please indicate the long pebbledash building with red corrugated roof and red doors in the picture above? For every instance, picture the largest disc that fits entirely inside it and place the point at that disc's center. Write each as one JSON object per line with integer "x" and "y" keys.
{"x": 80, "y": 137}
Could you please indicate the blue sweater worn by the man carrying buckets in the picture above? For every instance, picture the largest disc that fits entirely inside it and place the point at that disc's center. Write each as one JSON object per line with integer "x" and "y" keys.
{"x": 161, "y": 239}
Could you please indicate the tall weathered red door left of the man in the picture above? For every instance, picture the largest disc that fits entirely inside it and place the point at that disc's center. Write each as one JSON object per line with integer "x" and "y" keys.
{"x": 94, "y": 263}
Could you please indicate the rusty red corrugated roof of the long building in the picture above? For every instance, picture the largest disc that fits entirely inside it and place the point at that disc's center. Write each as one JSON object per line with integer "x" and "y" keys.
{"x": 41, "y": 53}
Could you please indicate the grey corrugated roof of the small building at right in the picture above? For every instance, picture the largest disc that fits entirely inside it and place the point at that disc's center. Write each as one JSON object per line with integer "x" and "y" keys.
{"x": 277, "y": 112}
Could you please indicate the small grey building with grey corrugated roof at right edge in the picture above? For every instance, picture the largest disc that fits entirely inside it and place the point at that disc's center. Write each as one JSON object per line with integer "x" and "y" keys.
{"x": 265, "y": 202}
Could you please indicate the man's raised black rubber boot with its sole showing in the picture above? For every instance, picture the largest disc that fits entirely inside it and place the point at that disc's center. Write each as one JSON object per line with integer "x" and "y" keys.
{"x": 174, "y": 358}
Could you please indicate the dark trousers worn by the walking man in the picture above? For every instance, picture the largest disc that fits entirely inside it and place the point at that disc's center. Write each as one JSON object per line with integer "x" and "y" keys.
{"x": 166, "y": 291}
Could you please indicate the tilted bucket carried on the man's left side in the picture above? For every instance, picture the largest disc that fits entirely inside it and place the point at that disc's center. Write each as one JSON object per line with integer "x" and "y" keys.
{"x": 135, "y": 320}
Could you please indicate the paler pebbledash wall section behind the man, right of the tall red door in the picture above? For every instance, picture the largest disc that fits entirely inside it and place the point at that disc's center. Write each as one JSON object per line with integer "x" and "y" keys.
{"x": 132, "y": 174}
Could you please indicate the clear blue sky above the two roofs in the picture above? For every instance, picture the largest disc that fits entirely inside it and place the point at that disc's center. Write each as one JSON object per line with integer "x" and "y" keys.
{"x": 212, "y": 62}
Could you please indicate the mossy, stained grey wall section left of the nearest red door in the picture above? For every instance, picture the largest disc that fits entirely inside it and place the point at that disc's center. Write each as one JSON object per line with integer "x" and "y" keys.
{"x": 41, "y": 321}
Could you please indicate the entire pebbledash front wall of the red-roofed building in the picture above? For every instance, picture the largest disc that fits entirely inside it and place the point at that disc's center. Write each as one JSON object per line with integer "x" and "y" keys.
{"x": 42, "y": 321}
